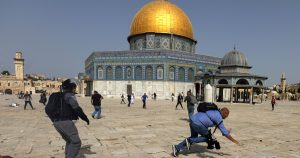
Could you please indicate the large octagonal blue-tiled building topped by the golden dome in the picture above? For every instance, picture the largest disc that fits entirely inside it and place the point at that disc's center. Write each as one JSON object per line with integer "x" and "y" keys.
{"x": 161, "y": 59}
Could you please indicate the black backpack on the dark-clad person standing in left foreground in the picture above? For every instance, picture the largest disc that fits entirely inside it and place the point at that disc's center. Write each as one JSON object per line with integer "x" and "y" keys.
{"x": 54, "y": 106}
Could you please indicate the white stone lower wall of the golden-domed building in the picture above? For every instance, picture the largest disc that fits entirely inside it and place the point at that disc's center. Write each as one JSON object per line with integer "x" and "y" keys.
{"x": 163, "y": 89}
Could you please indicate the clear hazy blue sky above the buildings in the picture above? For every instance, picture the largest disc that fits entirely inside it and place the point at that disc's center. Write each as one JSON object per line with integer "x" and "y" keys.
{"x": 56, "y": 36}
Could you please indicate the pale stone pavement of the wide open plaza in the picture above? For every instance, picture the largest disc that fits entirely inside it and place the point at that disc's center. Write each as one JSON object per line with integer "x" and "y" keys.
{"x": 145, "y": 133}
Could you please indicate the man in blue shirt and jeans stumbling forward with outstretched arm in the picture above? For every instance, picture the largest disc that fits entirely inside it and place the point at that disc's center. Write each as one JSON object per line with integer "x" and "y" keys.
{"x": 199, "y": 124}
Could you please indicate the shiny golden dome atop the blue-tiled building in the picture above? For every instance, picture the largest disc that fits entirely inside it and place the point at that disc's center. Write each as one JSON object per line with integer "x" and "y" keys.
{"x": 161, "y": 16}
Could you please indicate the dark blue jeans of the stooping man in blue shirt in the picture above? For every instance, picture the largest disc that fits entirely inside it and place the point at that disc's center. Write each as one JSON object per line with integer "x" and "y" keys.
{"x": 195, "y": 131}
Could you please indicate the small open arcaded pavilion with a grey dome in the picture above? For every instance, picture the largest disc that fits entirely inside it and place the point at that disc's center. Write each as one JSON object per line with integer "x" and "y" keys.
{"x": 234, "y": 82}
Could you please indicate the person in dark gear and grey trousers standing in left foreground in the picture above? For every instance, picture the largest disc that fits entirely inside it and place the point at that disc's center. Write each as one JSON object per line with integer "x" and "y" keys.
{"x": 62, "y": 113}
